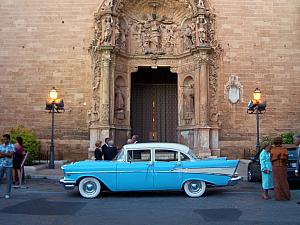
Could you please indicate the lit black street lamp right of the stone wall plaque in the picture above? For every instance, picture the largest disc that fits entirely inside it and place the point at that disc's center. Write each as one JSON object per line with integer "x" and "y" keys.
{"x": 257, "y": 106}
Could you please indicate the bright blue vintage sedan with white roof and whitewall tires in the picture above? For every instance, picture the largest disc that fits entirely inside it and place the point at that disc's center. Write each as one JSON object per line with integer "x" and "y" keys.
{"x": 150, "y": 166}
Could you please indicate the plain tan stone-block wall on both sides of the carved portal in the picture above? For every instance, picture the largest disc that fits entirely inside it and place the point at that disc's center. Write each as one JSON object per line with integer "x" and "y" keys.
{"x": 45, "y": 44}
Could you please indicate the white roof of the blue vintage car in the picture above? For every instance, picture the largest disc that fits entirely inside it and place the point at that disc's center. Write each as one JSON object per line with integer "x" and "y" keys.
{"x": 160, "y": 145}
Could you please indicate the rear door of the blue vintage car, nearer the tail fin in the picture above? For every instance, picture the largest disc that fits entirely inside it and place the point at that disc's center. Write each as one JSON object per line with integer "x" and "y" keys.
{"x": 167, "y": 170}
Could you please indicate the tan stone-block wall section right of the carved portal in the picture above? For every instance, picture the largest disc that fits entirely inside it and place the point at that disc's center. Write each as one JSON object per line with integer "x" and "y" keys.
{"x": 261, "y": 42}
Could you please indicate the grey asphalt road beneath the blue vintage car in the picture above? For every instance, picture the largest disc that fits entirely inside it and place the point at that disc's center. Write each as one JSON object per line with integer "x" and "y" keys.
{"x": 45, "y": 202}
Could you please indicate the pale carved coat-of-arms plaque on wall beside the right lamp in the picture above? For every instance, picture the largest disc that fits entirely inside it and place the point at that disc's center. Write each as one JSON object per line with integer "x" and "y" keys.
{"x": 233, "y": 90}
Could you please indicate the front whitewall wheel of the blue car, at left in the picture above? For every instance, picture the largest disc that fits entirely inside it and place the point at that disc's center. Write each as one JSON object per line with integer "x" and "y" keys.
{"x": 89, "y": 187}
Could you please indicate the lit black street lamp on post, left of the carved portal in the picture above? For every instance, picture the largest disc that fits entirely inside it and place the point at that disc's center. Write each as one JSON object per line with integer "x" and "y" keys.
{"x": 54, "y": 105}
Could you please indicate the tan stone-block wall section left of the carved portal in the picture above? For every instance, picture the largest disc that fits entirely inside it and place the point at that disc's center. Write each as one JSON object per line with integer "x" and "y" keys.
{"x": 45, "y": 44}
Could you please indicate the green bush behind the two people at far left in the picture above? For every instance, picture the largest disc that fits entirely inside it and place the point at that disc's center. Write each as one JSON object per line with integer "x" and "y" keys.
{"x": 30, "y": 142}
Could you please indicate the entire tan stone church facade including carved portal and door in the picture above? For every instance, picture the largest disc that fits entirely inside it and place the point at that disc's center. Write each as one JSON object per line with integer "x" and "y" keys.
{"x": 170, "y": 71}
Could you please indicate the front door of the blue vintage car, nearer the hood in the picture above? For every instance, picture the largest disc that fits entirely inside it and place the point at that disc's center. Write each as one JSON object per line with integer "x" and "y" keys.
{"x": 136, "y": 173}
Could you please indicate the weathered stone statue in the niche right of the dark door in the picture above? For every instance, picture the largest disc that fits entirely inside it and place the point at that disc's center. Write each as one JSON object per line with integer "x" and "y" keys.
{"x": 189, "y": 103}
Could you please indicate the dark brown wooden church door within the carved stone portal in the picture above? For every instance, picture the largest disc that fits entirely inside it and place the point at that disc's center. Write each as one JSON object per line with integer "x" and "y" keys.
{"x": 154, "y": 109}
